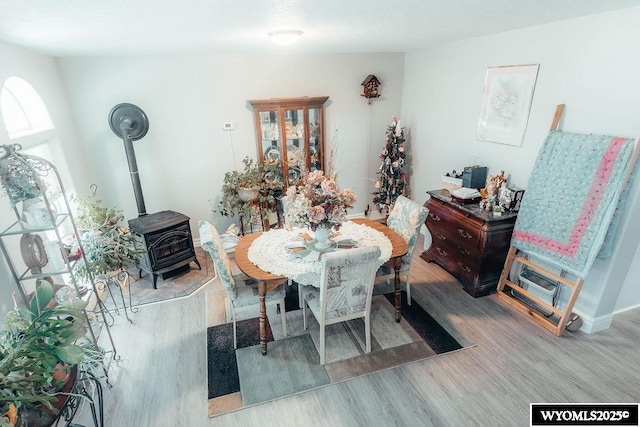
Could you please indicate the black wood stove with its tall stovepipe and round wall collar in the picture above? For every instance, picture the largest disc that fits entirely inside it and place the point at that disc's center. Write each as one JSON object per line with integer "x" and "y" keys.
{"x": 166, "y": 235}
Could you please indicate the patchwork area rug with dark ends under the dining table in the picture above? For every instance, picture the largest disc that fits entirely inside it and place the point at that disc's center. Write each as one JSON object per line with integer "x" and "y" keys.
{"x": 244, "y": 377}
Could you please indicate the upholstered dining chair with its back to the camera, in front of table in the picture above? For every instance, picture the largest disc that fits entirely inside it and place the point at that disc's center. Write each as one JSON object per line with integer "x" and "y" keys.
{"x": 346, "y": 287}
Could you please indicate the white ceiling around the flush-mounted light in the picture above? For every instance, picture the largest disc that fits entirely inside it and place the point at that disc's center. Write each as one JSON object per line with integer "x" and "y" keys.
{"x": 125, "y": 27}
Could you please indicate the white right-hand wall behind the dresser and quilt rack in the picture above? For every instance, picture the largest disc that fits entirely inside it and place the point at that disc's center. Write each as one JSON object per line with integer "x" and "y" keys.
{"x": 589, "y": 64}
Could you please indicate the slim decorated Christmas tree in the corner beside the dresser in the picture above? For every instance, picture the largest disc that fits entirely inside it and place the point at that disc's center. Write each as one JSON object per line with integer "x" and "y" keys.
{"x": 392, "y": 177}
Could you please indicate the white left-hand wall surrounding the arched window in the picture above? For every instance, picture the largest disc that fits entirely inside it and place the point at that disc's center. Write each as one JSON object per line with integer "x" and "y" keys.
{"x": 41, "y": 72}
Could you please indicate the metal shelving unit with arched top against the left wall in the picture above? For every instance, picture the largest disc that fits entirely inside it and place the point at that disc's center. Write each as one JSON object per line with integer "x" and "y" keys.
{"x": 23, "y": 248}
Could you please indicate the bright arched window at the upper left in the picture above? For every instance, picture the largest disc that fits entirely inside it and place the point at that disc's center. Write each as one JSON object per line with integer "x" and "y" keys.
{"x": 22, "y": 108}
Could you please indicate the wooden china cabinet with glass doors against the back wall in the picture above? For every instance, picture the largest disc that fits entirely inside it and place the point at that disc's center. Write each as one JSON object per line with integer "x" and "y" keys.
{"x": 290, "y": 136}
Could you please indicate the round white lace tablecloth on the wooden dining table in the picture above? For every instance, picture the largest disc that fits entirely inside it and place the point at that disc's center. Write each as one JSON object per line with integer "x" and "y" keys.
{"x": 270, "y": 253}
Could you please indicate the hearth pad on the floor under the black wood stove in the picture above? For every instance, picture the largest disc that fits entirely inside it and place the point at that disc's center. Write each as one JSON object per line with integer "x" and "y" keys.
{"x": 142, "y": 291}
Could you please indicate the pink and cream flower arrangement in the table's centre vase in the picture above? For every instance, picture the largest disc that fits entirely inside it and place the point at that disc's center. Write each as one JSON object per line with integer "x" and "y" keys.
{"x": 318, "y": 202}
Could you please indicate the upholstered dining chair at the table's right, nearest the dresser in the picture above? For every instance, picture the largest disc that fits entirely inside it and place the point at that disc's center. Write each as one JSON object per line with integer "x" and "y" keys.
{"x": 405, "y": 218}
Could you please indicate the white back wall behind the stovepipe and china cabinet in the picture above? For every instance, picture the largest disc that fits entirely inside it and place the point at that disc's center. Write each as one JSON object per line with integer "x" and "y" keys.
{"x": 183, "y": 158}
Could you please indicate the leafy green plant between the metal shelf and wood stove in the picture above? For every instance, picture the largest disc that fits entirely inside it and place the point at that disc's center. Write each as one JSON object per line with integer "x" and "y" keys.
{"x": 108, "y": 245}
